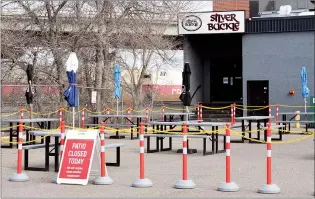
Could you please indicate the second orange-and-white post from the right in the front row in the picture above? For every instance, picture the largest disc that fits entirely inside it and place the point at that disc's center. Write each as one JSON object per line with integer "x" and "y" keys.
{"x": 228, "y": 186}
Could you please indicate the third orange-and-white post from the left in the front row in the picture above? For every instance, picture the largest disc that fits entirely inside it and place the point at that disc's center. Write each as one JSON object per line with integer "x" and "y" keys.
{"x": 142, "y": 182}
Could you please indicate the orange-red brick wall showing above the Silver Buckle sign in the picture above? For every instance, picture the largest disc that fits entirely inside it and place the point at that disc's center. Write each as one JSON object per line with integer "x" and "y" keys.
{"x": 226, "y": 5}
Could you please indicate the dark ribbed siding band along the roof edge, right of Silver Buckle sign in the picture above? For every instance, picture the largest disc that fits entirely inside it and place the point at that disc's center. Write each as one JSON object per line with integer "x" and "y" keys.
{"x": 283, "y": 24}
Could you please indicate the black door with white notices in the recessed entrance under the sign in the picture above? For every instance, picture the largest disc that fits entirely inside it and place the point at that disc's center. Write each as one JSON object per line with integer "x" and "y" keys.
{"x": 226, "y": 80}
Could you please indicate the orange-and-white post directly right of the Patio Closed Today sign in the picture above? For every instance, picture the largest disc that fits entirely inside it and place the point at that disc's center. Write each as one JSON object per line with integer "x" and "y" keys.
{"x": 104, "y": 179}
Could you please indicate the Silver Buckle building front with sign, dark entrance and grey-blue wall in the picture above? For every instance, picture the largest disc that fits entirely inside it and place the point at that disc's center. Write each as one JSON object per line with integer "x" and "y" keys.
{"x": 254, "y": 61}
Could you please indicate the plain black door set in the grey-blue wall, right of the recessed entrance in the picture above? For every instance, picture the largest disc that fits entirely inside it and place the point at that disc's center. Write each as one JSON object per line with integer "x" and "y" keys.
{"x": 258, "y": 95}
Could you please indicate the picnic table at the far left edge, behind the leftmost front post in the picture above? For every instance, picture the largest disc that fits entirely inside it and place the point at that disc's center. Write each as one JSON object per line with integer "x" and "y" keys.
{"x": 41, "y": 122}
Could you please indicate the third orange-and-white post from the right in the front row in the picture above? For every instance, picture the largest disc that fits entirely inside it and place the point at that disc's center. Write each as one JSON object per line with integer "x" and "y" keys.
{"x": 184, "y": 183}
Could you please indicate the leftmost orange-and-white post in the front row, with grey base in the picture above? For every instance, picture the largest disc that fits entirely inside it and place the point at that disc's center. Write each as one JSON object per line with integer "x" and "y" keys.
{"x": 19, "y": 176}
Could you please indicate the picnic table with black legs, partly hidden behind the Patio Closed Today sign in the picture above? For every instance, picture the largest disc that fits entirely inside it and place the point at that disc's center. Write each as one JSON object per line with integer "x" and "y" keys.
{"x": 56, "y": 146}
